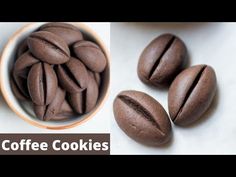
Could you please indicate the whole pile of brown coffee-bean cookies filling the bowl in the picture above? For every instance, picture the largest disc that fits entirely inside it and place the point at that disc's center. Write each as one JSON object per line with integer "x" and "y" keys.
{"x": 59, "y": 71}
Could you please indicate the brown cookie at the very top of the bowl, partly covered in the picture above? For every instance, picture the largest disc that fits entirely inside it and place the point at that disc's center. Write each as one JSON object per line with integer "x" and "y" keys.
{"x": 68, "y": 32}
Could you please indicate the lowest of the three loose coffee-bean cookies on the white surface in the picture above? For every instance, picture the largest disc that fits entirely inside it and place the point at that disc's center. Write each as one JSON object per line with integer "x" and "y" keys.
{"x": 142, "y": 118}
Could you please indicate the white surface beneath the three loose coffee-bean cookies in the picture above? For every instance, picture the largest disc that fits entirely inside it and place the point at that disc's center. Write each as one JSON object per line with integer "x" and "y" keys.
{"x": 207, "y": 43}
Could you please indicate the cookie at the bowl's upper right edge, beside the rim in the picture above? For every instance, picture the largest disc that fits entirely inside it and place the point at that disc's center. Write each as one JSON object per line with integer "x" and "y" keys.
{"x": 91, "y": 55}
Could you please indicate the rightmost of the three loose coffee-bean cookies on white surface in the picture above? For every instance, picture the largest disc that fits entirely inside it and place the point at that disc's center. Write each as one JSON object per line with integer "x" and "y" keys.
{"x": 191, "y": 94}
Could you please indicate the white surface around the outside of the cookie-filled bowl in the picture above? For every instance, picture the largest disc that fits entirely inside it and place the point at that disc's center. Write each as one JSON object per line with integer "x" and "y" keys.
{"x": 9, "y": 122}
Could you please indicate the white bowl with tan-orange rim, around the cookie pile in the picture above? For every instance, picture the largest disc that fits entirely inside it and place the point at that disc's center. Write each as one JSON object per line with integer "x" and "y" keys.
{"x": 24, "y": 109}
